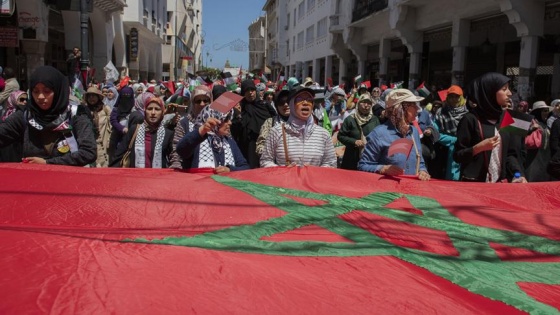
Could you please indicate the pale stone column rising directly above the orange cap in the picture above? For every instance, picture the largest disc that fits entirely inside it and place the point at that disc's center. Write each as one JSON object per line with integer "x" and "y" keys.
{"x": 459, "y": 41}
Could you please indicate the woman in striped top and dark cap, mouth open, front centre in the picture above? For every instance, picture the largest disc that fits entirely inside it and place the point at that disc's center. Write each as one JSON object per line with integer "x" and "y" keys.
{"x": 299, "y": 141}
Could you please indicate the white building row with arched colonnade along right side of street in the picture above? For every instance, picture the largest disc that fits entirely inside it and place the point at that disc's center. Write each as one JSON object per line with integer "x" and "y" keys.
{"x": 440, "y": 42}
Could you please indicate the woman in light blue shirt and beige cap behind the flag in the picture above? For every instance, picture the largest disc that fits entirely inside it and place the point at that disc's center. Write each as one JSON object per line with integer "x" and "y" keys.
{"x": 401, "y": 110}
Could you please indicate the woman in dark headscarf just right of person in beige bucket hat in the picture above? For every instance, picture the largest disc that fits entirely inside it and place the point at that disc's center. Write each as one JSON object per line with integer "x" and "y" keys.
{"x": 121, "y": 119}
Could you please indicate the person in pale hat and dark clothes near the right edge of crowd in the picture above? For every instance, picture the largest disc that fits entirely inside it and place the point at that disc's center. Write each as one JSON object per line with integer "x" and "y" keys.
{"x": 537, "y": 143}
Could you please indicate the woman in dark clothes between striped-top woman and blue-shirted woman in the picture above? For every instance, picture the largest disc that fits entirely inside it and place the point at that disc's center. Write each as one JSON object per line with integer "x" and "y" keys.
{"x": 354, "y": 131}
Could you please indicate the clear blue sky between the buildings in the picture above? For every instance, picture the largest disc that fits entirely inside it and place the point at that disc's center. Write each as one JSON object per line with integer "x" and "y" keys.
{"x": 224, "y": 22}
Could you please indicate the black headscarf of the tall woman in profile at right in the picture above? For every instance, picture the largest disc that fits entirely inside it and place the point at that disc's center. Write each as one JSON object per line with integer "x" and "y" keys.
{"x": 482, "y": 91}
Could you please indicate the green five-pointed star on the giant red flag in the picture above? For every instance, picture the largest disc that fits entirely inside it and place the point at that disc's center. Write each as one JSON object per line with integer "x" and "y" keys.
{"x": 477, "y": 268}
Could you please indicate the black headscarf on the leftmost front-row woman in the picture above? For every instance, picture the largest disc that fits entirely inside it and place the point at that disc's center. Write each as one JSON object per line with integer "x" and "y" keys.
{"x": 58, "y": 83}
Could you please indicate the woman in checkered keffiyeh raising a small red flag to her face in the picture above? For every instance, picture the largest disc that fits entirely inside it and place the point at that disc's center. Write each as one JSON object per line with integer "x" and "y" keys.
{"x": 210, "y": 145}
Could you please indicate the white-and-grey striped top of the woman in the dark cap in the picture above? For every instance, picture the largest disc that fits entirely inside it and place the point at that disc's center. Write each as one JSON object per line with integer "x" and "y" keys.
{"x": 315, "y": 149}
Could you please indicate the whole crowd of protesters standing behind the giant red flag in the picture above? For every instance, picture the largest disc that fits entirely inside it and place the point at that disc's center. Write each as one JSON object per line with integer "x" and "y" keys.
{"x": 455, "y": 135}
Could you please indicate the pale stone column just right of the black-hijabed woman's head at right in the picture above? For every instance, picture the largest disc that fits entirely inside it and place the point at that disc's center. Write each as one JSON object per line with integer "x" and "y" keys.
{"x": 527, "y": 66}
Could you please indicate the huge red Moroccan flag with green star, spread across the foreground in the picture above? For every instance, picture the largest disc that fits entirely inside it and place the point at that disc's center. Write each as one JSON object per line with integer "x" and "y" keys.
{"x": 282, "y": 240}
